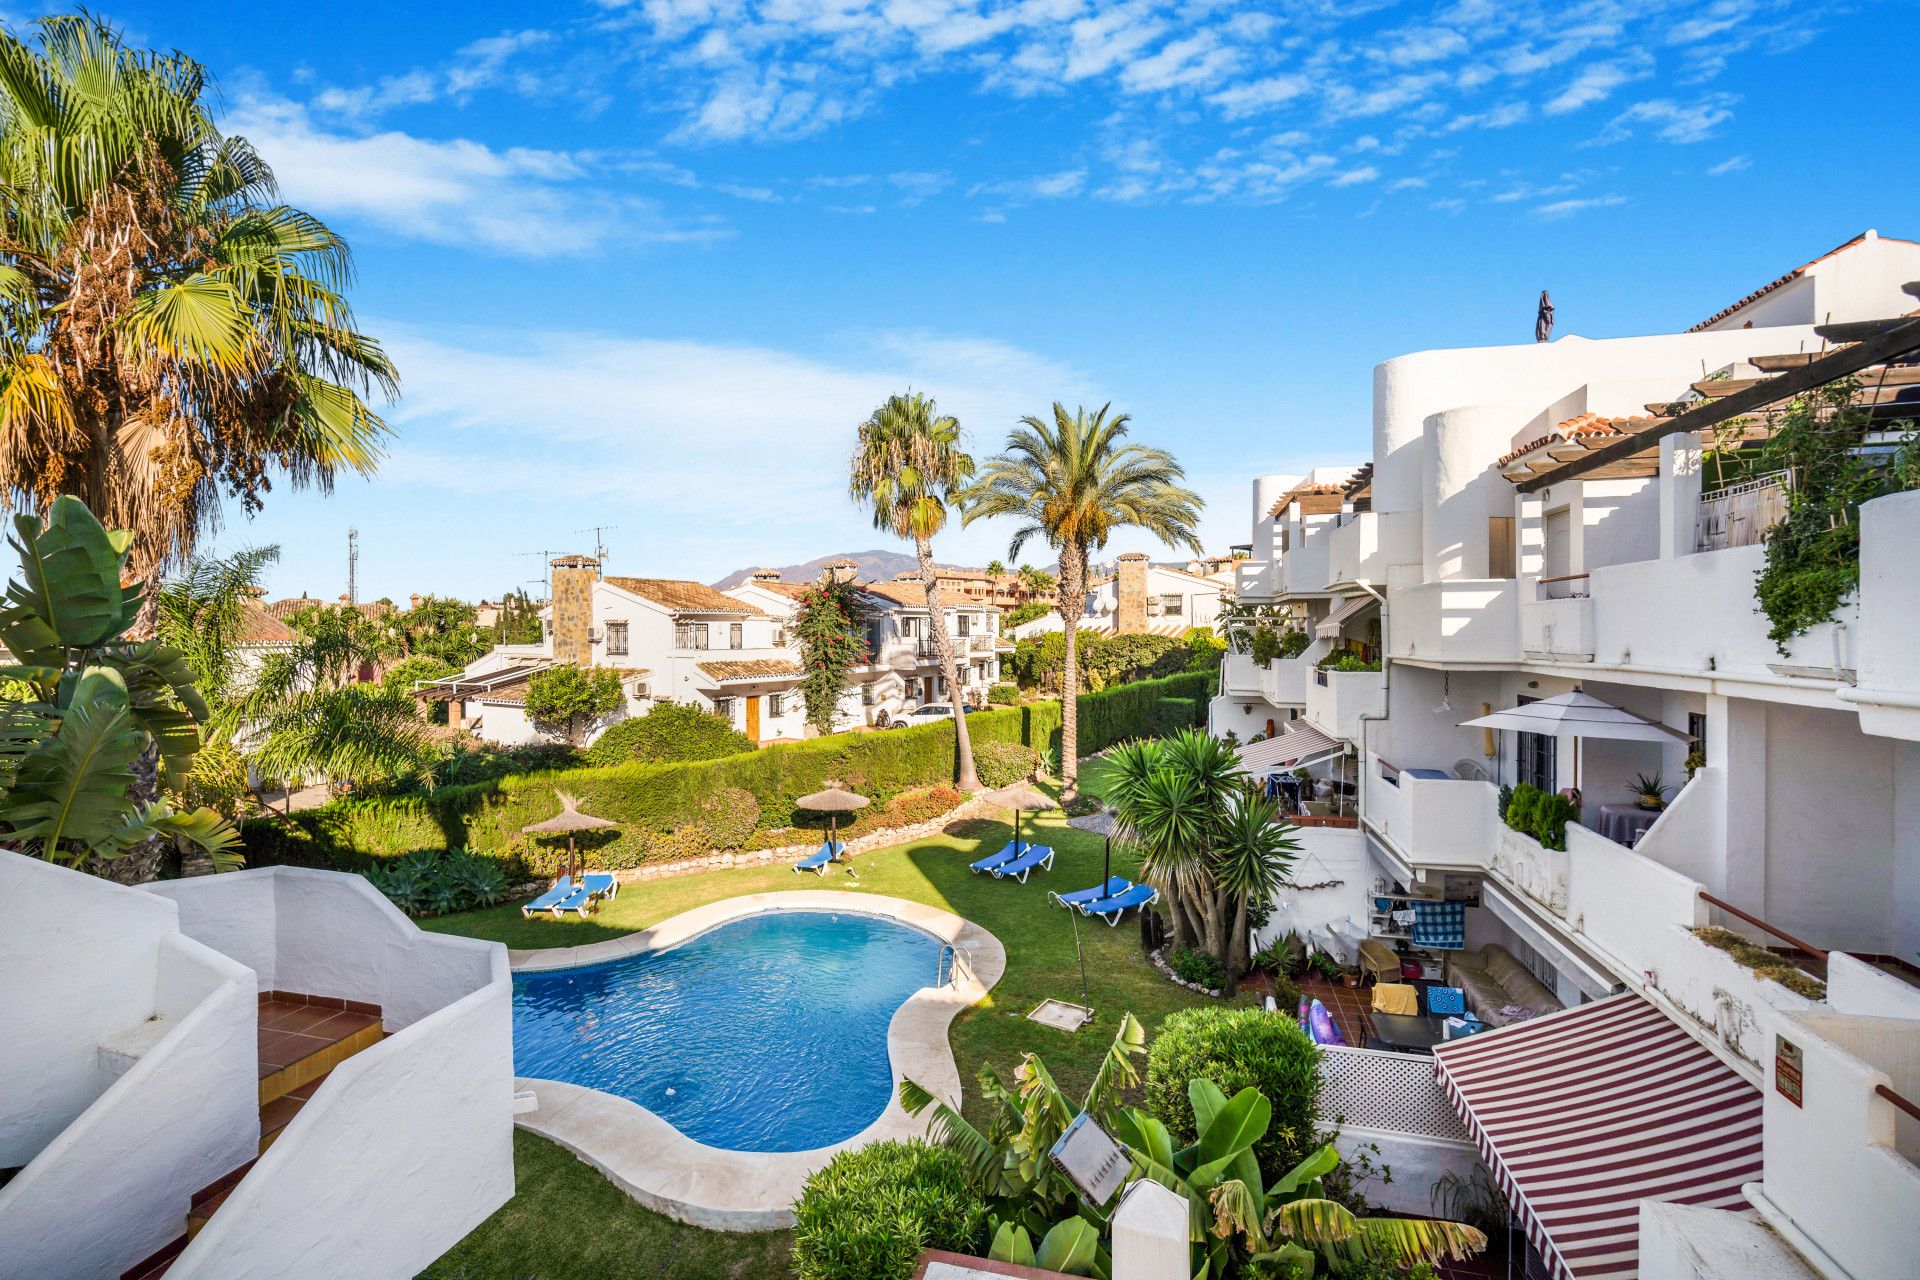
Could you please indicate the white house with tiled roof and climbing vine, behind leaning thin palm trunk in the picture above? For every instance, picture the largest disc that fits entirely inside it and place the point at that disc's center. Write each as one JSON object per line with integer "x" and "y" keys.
{"x": 903, "y": 667}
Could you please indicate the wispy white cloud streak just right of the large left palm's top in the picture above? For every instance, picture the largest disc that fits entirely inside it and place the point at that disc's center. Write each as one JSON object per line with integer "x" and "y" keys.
{"x": 454, "y": 191}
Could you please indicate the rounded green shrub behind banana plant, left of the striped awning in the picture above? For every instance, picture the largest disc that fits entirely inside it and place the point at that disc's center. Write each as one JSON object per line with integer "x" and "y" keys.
{"x": 1239, "y": 1049}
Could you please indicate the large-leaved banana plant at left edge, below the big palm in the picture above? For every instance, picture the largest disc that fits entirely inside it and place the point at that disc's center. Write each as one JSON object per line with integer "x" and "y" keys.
{"x": 93, "y": 705}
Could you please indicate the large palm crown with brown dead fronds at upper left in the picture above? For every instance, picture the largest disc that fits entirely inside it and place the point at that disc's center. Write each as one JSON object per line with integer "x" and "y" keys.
{"x": 170, "y": 333}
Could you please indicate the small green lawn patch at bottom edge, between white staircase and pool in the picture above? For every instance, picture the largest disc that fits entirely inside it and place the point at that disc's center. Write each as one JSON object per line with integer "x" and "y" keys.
{"x": 565, "y": 1221}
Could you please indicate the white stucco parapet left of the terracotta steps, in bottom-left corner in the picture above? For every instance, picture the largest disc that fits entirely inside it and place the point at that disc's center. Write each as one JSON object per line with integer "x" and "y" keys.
{"x": 116, "y": 1183}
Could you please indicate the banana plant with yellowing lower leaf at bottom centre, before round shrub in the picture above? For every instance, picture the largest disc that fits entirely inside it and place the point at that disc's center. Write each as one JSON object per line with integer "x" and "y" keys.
{"x": 1237, "y": 1220}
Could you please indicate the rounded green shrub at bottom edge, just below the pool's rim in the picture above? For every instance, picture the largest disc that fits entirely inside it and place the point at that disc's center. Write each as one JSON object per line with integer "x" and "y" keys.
{"x": 869, "y": 1214}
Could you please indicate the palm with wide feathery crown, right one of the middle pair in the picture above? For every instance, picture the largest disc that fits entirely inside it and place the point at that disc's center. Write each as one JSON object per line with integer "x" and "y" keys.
{"x": 1074, "y": 483}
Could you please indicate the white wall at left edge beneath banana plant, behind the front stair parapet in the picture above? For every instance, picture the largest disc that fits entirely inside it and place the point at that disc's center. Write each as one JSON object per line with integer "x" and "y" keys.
{"x": 78, "y": 960}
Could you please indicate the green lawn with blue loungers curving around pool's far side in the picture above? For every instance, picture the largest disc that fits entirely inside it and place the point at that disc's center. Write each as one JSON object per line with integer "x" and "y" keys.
{"x": 1038, "y": 937}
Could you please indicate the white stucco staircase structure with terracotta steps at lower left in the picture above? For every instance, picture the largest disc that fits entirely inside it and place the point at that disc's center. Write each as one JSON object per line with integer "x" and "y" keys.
{"x": 258, "y": 1074}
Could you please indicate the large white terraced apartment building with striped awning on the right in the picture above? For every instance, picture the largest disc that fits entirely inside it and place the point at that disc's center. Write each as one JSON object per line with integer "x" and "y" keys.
{"x": 1541, "y": 519}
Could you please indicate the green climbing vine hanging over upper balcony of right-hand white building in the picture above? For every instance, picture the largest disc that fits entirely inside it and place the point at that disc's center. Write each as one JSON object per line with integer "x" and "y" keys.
{"x": 1838, "y": 460}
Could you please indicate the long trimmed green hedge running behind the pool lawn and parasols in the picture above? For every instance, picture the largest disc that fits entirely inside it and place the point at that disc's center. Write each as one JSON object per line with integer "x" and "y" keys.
{"x": 654, "y": 799}
